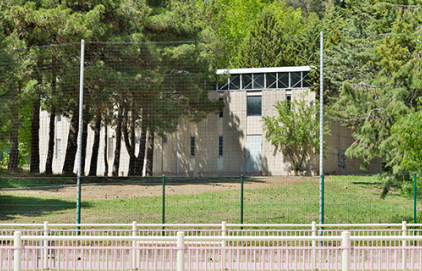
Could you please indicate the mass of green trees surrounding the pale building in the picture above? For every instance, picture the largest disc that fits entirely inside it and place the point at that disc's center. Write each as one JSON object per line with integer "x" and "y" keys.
{"x": 372, "y": 68}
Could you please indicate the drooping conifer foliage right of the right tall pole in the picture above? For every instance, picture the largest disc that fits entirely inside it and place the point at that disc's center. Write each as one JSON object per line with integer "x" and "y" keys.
{"x": 381, "y": 87}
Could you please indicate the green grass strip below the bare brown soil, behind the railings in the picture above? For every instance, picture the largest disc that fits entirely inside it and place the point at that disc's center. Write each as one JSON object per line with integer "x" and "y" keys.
{"x": 348, "y": 199}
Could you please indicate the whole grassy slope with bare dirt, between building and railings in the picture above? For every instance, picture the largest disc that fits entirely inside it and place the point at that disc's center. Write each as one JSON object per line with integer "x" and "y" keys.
{"x": 348, "y": 199}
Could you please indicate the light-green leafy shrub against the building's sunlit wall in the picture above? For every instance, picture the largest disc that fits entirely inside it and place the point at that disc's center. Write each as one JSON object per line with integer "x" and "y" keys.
{"x": 295, "y": 130}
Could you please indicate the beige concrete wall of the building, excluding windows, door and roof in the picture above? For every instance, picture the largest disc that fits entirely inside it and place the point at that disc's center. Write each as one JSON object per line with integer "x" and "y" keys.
{"x": 172, "y": 153}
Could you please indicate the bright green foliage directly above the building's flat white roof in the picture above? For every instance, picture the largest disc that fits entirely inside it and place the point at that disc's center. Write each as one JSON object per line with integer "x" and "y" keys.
{"x": 260, "y": 33}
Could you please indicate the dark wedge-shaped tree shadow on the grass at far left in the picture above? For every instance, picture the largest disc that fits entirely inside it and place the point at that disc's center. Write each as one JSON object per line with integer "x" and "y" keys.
{"x": 12, "y": 206}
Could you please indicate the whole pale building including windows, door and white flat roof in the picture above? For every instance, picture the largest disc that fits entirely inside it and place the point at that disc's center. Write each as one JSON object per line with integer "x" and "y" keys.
{"x": 231, "y": 142}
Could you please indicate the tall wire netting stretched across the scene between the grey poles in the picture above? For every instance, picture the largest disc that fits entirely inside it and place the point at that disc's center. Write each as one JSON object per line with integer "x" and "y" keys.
{"x": 166, "y": 109}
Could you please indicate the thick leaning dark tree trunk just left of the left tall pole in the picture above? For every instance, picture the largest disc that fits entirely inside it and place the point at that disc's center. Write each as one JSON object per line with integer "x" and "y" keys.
{"x": 72, "y": 145}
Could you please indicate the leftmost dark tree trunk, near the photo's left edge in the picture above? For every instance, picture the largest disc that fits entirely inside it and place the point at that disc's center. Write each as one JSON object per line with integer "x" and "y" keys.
{"x": 13, "y": 164}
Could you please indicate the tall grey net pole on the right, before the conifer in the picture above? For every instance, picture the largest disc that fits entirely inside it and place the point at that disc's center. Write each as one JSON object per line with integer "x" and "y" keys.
{"x": 321, "y": 132}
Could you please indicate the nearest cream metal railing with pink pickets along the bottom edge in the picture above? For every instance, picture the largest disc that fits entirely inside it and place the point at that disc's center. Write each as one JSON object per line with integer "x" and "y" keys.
{"x": 208, "y": 253}
